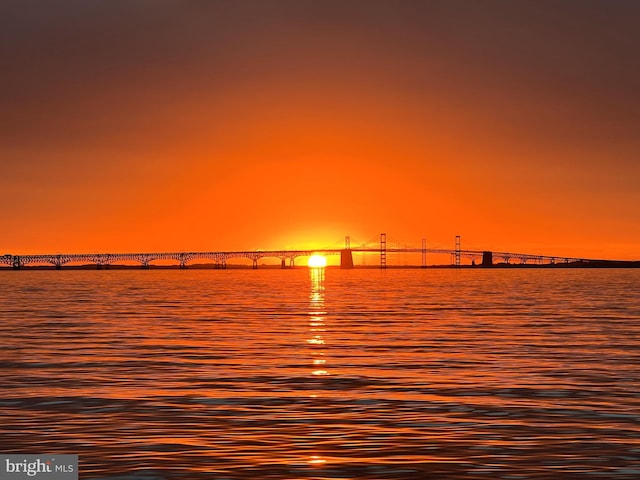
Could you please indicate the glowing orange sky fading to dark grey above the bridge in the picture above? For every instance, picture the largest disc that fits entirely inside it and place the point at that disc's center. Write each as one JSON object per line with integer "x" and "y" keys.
{"x": 141, "y": 126}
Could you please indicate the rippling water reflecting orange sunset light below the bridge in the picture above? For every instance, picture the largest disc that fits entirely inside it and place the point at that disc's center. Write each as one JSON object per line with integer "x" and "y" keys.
{"x": 443, "y": 374}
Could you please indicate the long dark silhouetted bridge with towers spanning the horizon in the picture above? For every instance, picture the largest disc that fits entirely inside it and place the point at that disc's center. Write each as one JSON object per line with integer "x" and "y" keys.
{"x": 219, "y": 259}
